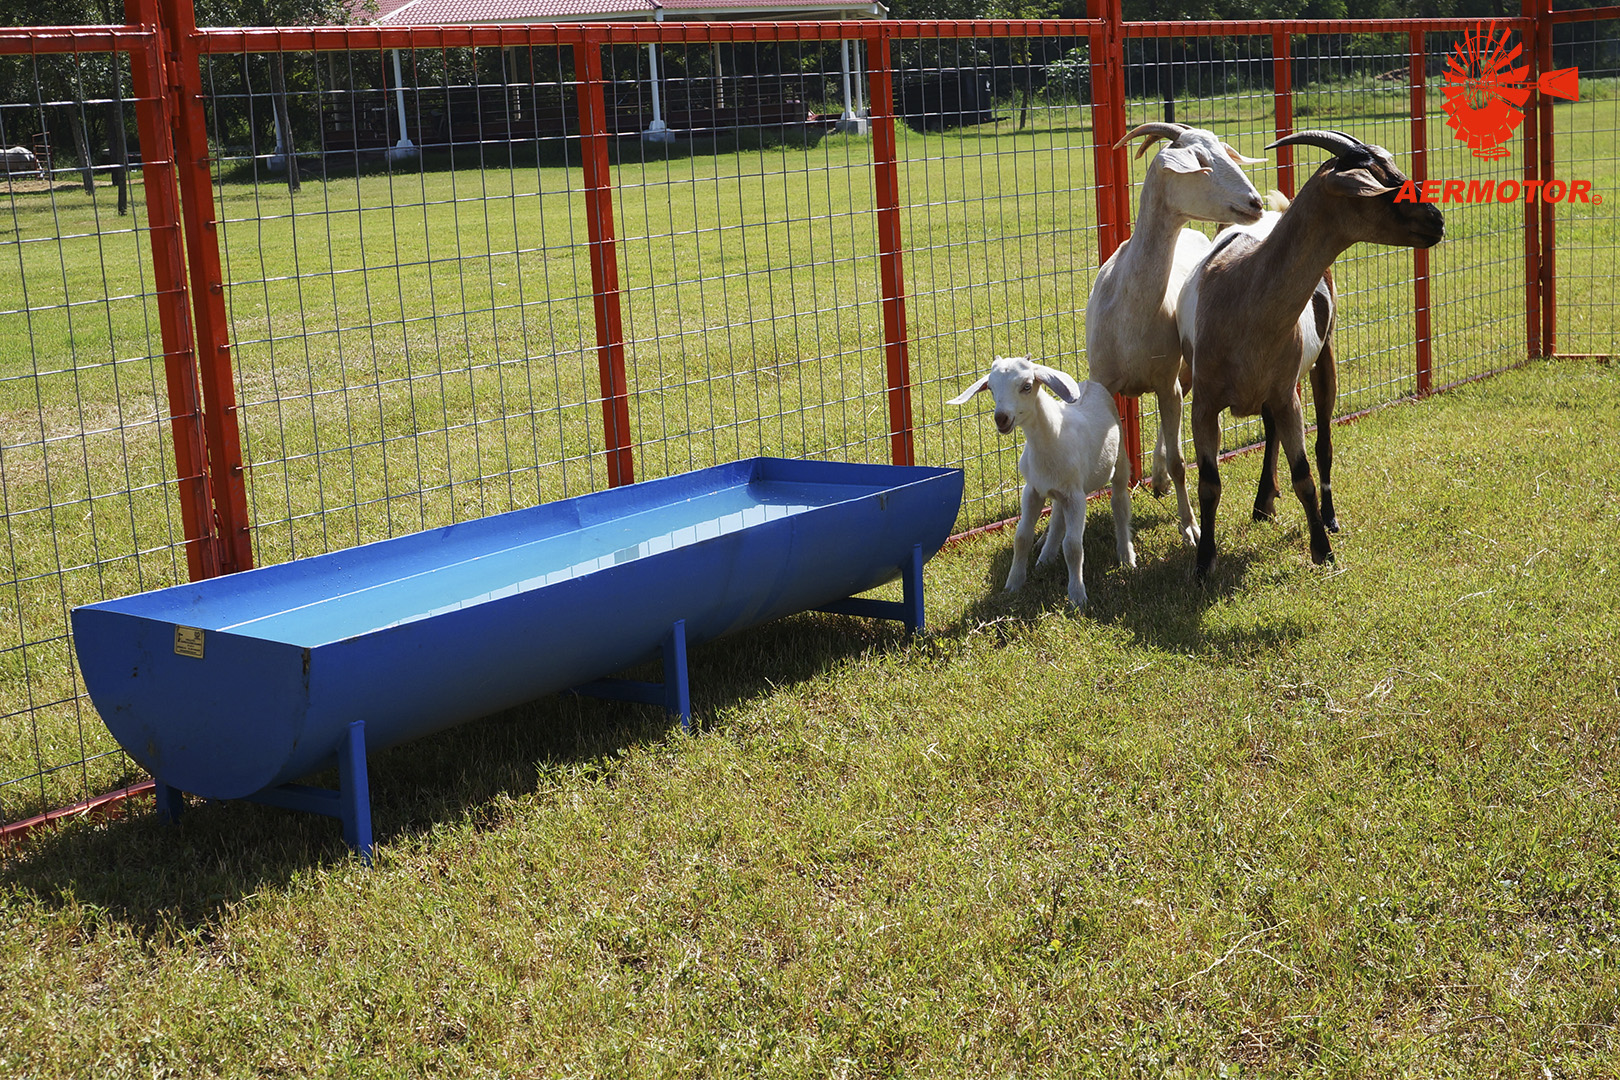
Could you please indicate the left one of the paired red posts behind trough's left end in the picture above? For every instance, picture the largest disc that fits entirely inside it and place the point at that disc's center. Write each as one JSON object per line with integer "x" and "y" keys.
{"x": 169, "y": 273}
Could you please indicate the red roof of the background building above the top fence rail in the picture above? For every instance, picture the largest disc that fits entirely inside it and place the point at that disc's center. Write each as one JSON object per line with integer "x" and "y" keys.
{"x": 463, "y": 12}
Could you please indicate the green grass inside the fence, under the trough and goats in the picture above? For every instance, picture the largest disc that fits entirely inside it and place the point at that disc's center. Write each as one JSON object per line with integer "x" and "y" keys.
{"x": 1344, "y": 822}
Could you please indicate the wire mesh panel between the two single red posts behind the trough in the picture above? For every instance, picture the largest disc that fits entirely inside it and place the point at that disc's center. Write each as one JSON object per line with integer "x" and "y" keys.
{"x": 749, "y": 270}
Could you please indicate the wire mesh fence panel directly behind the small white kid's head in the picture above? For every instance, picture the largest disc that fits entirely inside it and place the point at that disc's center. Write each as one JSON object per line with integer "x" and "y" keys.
{"x": 999, "y": 187}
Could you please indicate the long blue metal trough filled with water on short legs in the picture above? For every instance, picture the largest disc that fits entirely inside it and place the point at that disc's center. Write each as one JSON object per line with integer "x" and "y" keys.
{"x": 237, "y": 687}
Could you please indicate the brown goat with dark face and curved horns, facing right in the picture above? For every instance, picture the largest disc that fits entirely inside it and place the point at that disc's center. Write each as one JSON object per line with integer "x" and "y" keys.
{"x": 1258, "y": 315}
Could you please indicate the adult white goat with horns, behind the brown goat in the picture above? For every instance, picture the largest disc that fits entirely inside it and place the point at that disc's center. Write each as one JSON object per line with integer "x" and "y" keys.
{"x": 1132, "y": 341}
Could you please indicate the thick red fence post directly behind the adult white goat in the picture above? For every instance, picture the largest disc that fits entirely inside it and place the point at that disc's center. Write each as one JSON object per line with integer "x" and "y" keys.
{"x": 1114, "y": 177}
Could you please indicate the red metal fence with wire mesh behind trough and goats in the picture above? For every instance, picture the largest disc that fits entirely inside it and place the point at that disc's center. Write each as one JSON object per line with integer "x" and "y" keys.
{"x": 383, "y": 279}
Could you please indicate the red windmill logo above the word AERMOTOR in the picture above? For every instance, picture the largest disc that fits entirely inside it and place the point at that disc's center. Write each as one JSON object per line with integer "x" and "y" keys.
{"x": 1486, "y": 90}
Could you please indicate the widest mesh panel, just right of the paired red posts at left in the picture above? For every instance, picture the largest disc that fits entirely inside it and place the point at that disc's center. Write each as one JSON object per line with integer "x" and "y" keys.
{"x": 409, "y": 287}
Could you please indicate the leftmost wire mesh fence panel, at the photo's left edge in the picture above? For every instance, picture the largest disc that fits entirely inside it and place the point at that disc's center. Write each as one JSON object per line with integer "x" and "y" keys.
{"x": 88, "y": 506}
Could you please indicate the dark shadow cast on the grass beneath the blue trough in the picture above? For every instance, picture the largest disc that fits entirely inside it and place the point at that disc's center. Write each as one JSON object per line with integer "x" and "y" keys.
{"x": 160, "y": 878}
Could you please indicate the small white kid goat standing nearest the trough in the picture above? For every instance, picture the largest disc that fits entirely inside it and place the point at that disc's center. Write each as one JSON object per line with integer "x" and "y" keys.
{"x": 1070, "y": 451}
